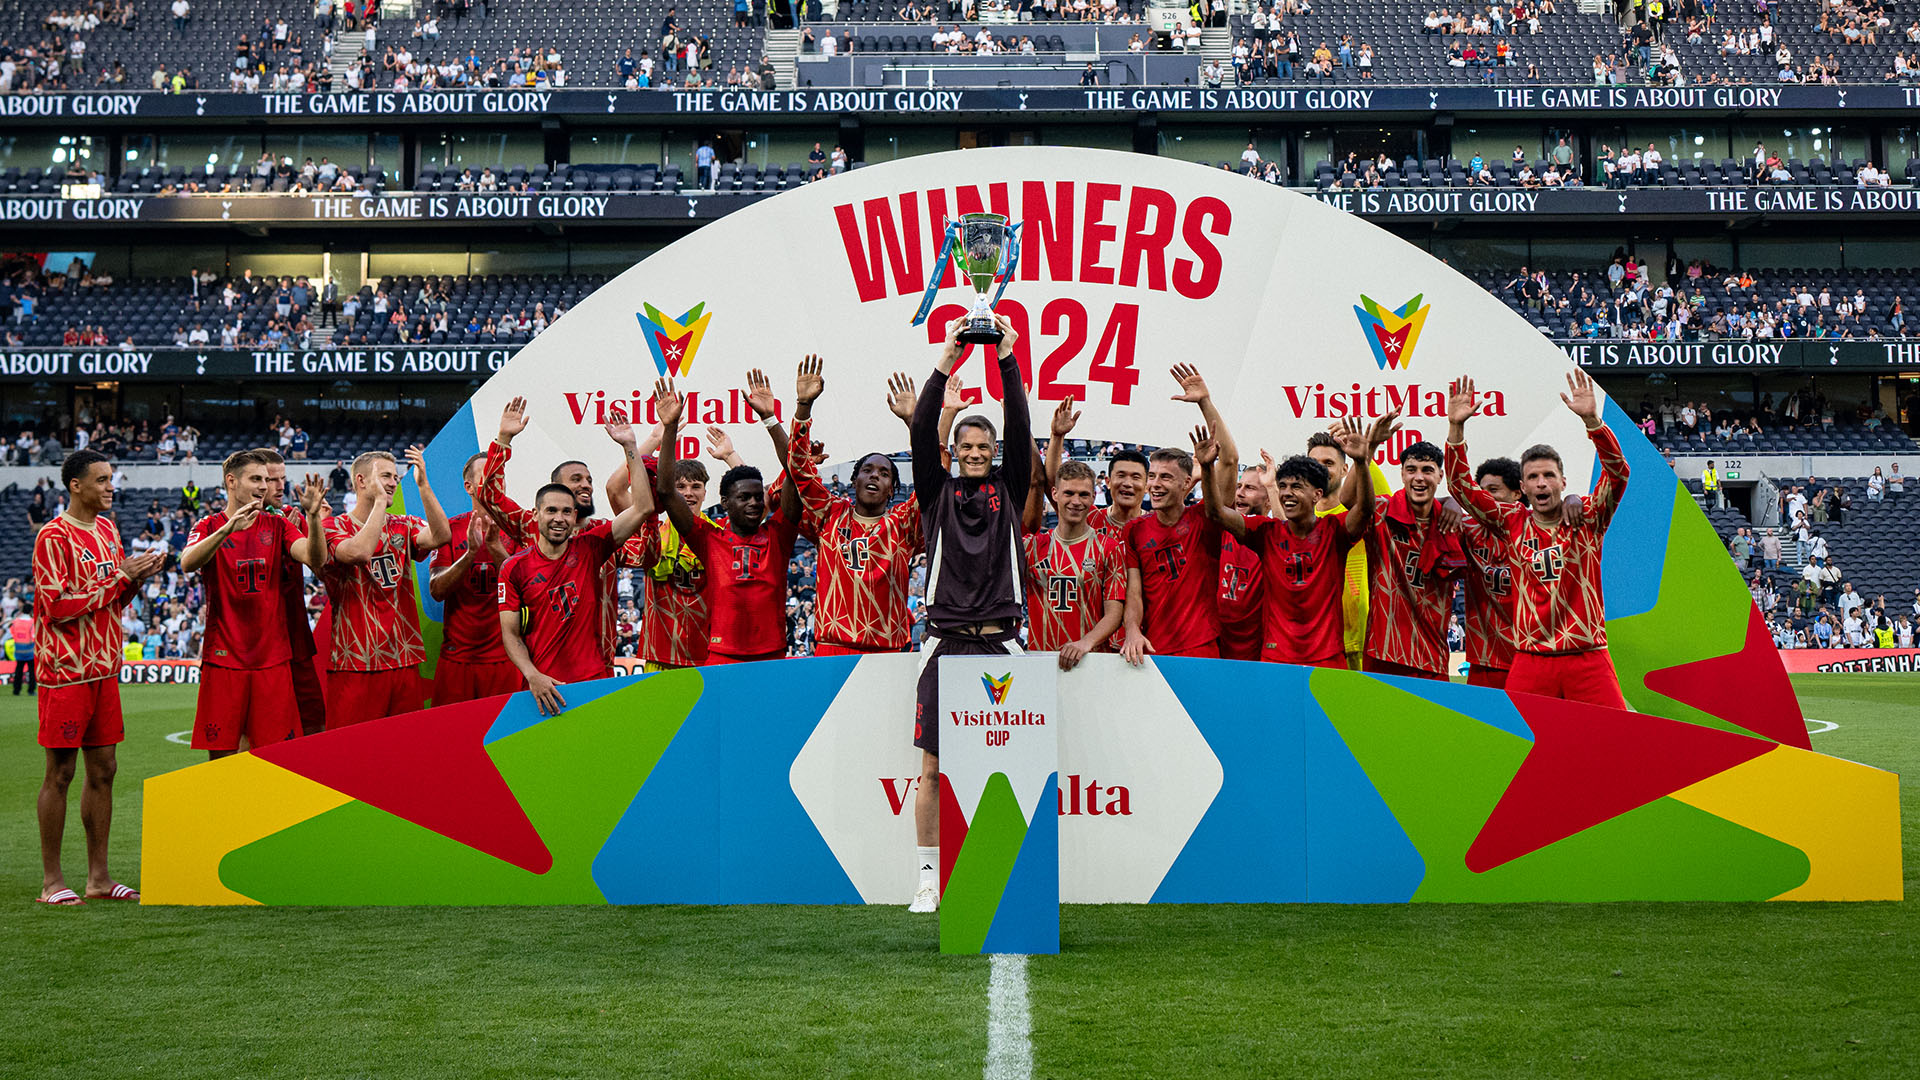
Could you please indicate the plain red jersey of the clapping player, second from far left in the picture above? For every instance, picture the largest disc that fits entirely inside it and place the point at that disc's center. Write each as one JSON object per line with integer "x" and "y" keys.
{"x": 247, "y": 606}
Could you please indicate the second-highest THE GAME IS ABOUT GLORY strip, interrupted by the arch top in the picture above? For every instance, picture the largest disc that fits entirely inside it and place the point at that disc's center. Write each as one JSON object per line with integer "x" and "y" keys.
{"x": 450, "y": 209}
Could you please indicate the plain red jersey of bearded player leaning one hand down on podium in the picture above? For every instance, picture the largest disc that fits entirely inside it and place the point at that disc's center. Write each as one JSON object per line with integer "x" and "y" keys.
{"x": 558, "y": 602}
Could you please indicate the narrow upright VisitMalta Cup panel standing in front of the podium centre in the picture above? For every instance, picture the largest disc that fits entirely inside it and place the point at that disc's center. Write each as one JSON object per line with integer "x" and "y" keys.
{"x": 999, "y": 724}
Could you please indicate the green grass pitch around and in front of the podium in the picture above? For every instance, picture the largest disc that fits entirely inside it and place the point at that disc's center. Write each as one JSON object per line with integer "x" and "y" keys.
{"x": 1633, "y": 991}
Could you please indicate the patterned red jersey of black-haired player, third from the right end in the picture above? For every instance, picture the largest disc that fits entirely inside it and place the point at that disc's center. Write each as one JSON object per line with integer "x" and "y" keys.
{"x": 1410, "y": 591}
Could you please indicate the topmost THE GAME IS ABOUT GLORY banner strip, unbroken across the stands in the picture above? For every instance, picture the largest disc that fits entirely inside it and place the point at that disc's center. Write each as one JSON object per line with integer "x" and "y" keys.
{"x": 481, "y": 107}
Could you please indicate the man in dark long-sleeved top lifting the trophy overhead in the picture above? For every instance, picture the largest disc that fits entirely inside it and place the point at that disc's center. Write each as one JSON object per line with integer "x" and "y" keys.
{"x": 974, "y": 560}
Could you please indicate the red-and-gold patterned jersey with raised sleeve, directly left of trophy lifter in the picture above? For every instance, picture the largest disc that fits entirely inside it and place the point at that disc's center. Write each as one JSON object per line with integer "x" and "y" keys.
{"x": 863, "y": 566}
